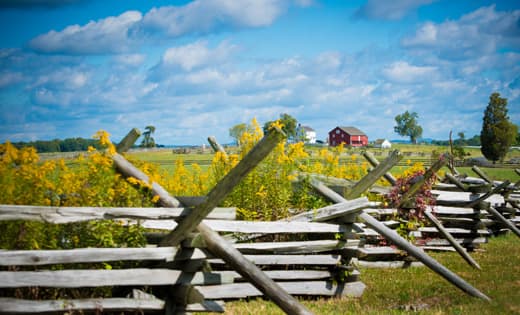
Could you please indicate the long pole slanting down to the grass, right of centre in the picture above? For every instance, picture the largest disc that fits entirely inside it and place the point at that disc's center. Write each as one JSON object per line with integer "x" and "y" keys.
{"x": 400, "y": 242}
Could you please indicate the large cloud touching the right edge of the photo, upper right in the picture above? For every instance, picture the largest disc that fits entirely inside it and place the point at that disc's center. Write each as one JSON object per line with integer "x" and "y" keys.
{"x": 478, "y": 33}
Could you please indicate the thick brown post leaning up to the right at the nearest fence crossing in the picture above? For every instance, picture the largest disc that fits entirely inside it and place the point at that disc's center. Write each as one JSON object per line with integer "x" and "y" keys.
{"x": 224, "y": 187}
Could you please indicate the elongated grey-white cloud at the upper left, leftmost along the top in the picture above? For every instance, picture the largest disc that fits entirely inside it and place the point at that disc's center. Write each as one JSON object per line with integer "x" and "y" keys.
{"x": 109, "y": 35}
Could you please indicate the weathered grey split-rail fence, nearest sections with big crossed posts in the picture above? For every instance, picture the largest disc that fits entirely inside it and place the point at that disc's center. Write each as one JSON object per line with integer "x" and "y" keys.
{"x": 204, "y": 256}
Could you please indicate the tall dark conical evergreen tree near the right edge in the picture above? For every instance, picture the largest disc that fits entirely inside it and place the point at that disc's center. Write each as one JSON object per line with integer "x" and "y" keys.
{"x": 498, "y": 132}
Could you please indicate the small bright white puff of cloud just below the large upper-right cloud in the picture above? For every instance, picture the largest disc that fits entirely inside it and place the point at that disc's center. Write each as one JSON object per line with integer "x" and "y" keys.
{"x": 403, "y": 72}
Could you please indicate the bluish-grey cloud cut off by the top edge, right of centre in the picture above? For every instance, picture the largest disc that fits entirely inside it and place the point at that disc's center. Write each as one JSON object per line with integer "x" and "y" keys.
{"x": 389, "y": 10}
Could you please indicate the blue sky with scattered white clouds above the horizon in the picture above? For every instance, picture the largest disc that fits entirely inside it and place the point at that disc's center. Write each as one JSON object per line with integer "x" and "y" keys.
{"x": 193, "y": 69}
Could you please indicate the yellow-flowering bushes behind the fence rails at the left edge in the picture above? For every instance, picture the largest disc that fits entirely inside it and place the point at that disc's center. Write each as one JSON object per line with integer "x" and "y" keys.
{"x": 89, "y": 180}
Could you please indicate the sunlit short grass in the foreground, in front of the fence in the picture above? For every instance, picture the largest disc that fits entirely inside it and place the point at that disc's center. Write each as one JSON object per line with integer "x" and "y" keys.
{"x": 397, "y": 291}
